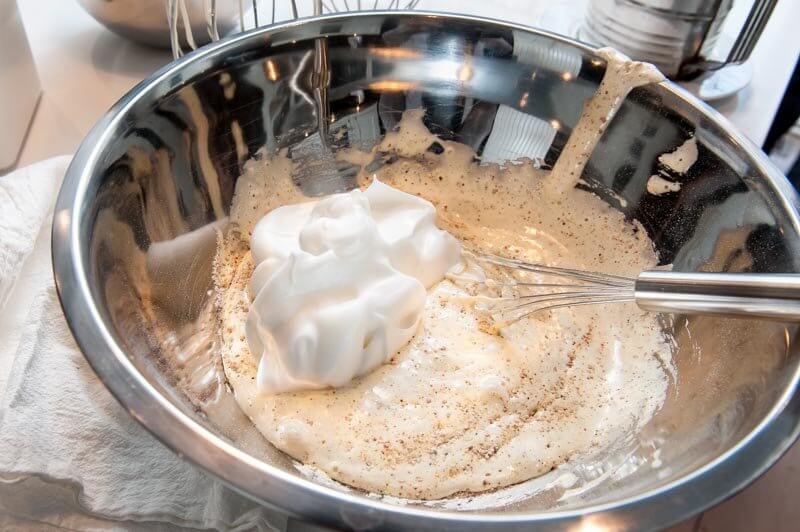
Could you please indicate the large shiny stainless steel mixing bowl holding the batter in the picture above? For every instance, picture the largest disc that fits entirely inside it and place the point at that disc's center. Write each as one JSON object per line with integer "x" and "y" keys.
{"x": 156, "y": 174}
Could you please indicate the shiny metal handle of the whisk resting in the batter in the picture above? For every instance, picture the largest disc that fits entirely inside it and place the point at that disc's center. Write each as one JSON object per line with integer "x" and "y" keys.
{"x": 755, "y": 295}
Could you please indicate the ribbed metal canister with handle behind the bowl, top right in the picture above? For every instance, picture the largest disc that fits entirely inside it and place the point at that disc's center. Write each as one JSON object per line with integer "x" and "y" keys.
{"x": 675, "y": 35}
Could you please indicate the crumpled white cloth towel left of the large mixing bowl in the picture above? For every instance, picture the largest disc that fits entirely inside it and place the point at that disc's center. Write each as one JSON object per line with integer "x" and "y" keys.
{"x": 70, "y": 456}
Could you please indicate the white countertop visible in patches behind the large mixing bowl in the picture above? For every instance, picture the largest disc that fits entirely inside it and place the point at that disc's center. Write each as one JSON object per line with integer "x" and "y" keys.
{"x": 84, "y": 68}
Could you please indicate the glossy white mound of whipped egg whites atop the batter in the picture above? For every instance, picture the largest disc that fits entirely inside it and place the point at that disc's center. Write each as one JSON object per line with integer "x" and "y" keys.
{"x": 339, "y": 284}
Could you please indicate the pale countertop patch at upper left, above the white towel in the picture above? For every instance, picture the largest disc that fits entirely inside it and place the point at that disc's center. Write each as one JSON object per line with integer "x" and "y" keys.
{"x": 83, "y": 69}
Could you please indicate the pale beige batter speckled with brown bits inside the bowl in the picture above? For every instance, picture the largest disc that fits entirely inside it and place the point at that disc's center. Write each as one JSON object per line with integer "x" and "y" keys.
{"x": 459, "y": 409}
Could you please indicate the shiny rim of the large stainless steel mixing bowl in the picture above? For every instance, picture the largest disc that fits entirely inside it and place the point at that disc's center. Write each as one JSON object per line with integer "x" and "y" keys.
{"x": 303, "y": 498}
